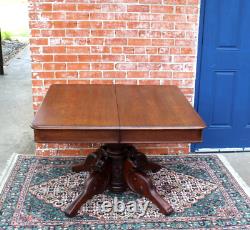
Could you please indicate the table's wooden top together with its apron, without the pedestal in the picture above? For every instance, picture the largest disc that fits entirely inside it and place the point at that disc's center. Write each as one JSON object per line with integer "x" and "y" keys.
{"x": 116, "y": 114}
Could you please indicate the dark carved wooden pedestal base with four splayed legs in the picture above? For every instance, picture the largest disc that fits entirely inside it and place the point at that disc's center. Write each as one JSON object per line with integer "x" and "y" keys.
{"x": 117, "y": 167}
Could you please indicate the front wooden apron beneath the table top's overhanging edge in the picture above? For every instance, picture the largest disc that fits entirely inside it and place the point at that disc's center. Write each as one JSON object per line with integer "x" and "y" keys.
{"x": 118, "y": 136}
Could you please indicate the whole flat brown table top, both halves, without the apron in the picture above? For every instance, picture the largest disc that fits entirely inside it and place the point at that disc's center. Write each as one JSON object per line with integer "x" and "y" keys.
{"x": 116, "y": 108}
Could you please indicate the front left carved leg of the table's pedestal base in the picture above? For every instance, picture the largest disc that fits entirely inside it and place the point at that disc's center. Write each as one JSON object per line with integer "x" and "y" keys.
{"x": 96, "y": 183}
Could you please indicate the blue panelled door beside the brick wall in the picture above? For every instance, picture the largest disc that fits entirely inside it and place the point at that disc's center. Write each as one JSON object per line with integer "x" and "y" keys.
{"x": 223, "y": 80}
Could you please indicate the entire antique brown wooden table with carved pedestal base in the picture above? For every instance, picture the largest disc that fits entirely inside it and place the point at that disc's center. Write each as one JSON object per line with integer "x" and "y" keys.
{"x": 117, "y": 116}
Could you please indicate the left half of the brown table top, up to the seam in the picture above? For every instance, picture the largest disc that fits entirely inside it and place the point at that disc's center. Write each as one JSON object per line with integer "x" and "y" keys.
{"x": 78, "y": 107}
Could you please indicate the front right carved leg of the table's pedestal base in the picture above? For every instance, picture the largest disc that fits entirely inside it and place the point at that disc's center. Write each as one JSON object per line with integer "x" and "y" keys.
{"x": 140, "y": 183}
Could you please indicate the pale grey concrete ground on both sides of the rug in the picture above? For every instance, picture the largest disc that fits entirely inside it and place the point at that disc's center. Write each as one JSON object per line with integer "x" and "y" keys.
{"x": 16, "y": 114}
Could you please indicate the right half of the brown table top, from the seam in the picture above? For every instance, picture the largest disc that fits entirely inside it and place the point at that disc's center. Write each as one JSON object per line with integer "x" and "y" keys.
{"x": 155, "y": 107}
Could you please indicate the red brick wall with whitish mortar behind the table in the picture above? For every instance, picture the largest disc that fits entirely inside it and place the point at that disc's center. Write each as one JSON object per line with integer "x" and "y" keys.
{"x": 112, "y": 42}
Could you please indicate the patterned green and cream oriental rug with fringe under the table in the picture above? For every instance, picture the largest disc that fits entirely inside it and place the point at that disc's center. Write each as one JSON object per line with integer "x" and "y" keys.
{"x": 202, "y": 191}
